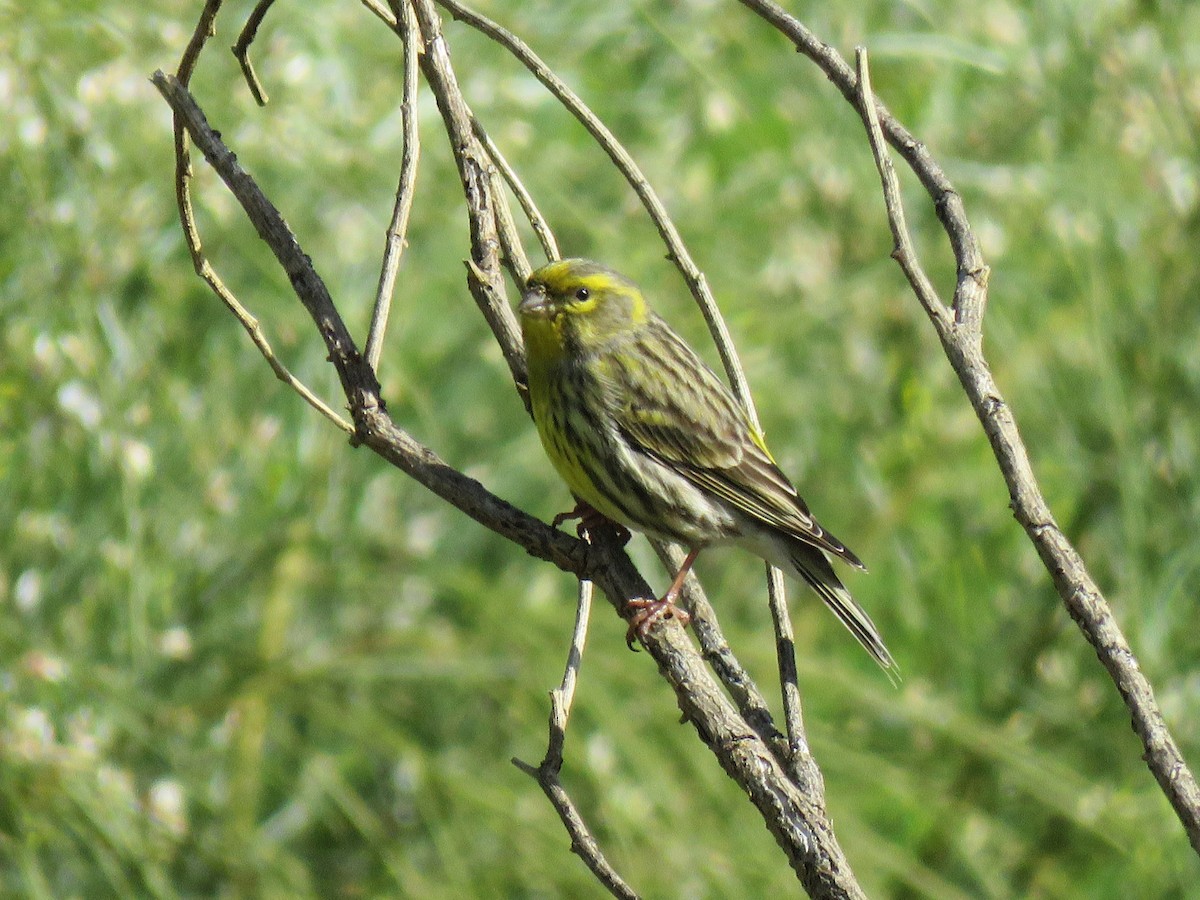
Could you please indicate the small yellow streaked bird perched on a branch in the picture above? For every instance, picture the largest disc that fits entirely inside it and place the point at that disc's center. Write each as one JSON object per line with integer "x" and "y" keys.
{"x": 646, "y": 435}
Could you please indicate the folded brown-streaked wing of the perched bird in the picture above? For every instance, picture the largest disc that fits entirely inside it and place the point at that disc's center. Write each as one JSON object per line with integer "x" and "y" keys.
{"x": 700, "y": 430}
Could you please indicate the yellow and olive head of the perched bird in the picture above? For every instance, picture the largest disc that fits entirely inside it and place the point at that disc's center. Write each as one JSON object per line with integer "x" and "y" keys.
{"x": 578, "y": 307}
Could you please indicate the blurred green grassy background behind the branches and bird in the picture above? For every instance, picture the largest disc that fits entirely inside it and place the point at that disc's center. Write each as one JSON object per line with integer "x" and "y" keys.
{"x": 239, "y": 659}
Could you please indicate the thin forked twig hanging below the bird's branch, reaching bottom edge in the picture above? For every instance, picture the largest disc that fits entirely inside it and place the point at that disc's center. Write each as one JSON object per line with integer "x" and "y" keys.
{"x": 548, "y": 773}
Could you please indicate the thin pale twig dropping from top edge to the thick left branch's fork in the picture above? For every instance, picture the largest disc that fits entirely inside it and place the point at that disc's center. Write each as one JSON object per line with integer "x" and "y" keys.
{"x": 398, "y": 230}
